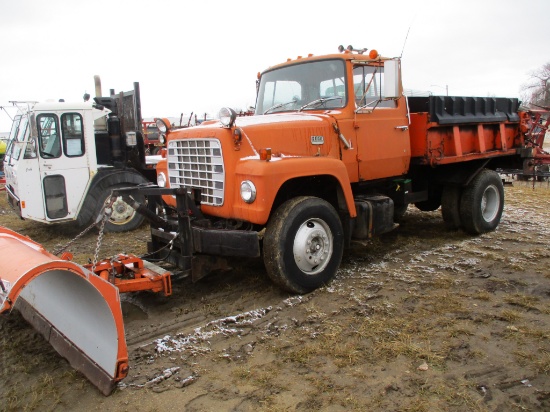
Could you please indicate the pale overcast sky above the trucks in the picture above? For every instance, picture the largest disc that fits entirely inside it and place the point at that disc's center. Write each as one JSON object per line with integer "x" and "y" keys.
{"x": 197, "y": 56}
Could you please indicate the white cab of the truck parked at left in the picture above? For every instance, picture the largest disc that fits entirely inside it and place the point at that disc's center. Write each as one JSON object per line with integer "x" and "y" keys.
{"x": 48, "y": 171}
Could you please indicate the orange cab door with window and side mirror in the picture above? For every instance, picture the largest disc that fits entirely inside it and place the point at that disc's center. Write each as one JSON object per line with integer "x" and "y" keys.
{"x": 381, "y": 126}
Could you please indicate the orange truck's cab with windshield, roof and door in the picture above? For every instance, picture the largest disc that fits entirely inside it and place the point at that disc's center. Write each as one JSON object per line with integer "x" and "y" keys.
{"x": 362, "y": 93}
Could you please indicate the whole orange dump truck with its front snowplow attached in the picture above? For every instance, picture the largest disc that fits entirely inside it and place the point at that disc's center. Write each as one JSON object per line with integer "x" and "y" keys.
{"x": 334, "y": 152}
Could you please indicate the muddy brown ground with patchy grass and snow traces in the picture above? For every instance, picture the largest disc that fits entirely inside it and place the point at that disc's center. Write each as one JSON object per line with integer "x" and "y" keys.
{"x": 420, "y": 319}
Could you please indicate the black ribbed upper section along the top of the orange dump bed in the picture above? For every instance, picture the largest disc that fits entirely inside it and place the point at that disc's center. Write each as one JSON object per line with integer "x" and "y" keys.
{"x": 461, "y": 109}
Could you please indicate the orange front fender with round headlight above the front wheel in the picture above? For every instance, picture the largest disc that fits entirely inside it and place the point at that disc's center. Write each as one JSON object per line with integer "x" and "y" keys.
{"x": 269, "y": 176}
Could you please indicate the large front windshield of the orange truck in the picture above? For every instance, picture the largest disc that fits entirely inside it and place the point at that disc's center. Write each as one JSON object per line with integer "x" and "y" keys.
{"x": 304, "y": 86}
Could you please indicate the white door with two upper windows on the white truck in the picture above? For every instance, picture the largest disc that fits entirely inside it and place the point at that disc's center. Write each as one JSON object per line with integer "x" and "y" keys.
{"x": 63, "y": 165}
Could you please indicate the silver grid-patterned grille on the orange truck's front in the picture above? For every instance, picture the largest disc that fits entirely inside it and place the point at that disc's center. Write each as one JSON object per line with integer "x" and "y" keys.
{"x": 198, "y": 164}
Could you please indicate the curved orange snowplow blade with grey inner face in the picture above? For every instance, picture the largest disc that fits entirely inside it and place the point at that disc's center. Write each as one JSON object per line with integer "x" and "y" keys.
{"x": 77, "y": 312}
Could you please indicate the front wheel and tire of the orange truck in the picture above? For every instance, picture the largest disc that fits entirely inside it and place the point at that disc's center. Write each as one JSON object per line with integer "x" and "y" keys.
{"x": 288, "y": 259}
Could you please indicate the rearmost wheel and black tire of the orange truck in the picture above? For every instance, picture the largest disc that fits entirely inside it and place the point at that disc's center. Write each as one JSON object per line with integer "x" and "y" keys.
{"x": 482, "y": 203}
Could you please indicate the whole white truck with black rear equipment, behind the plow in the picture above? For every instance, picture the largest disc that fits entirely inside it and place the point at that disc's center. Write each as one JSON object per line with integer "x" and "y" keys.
{"x": 64, "y": 159}
